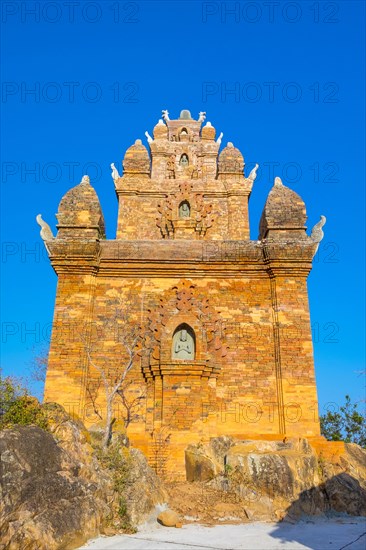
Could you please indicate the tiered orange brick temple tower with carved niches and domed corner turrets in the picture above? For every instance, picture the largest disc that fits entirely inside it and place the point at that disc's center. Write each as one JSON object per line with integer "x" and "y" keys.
{"x": 222, "y": 322}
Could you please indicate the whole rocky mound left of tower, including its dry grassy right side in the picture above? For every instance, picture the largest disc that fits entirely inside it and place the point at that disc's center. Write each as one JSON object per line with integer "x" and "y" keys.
{"x": 56, "y": 494}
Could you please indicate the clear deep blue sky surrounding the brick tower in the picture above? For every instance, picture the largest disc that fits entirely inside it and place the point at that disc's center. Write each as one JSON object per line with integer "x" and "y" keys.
{"x": 102, "y": 71}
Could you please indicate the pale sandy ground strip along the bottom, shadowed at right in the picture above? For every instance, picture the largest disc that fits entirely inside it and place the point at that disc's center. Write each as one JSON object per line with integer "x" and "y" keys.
{"x": 319, "y": 534}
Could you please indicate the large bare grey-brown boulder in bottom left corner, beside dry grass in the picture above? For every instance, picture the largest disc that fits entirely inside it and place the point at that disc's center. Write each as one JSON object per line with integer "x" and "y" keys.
{"x": 45, "y": 501}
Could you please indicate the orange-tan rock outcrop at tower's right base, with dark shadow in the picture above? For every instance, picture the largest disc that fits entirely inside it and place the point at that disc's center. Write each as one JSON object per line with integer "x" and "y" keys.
{"x": 275, "y": 479}
